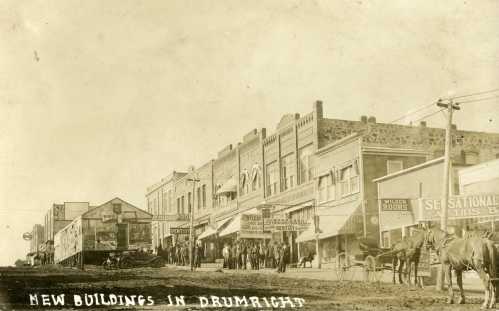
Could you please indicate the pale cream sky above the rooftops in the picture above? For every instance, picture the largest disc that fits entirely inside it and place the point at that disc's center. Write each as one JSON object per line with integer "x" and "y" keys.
{"x": 100, "y": 99}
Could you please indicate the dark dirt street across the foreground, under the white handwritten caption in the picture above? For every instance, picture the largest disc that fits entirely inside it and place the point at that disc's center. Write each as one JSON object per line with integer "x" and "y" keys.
{"x": 164, "y": 284}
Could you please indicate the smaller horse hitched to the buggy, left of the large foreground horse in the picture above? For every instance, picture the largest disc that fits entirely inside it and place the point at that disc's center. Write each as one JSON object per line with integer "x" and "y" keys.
{"x": 406, "y": 252}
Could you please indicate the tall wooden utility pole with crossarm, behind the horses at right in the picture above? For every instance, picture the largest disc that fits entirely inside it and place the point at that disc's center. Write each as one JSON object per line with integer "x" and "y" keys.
{"x": 450, "y": 106}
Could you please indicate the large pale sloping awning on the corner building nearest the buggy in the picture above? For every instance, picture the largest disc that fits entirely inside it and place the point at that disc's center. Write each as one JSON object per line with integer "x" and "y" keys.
{"x": 334, "y": 221}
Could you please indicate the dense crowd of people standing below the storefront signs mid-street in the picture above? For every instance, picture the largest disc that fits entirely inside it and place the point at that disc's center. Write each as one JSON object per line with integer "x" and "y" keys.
{"x": 248, "y": 254}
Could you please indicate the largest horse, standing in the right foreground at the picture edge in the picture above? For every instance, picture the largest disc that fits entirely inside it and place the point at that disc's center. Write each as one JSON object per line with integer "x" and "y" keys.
{"x": 458, "y": 254}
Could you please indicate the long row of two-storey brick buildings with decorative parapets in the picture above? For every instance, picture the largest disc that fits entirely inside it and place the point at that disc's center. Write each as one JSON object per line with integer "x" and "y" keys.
{"x": 284, "y": 171}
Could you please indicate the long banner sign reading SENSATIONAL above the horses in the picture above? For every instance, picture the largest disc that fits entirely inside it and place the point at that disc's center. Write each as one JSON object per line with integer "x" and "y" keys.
{"x": 465, "y": 206}
